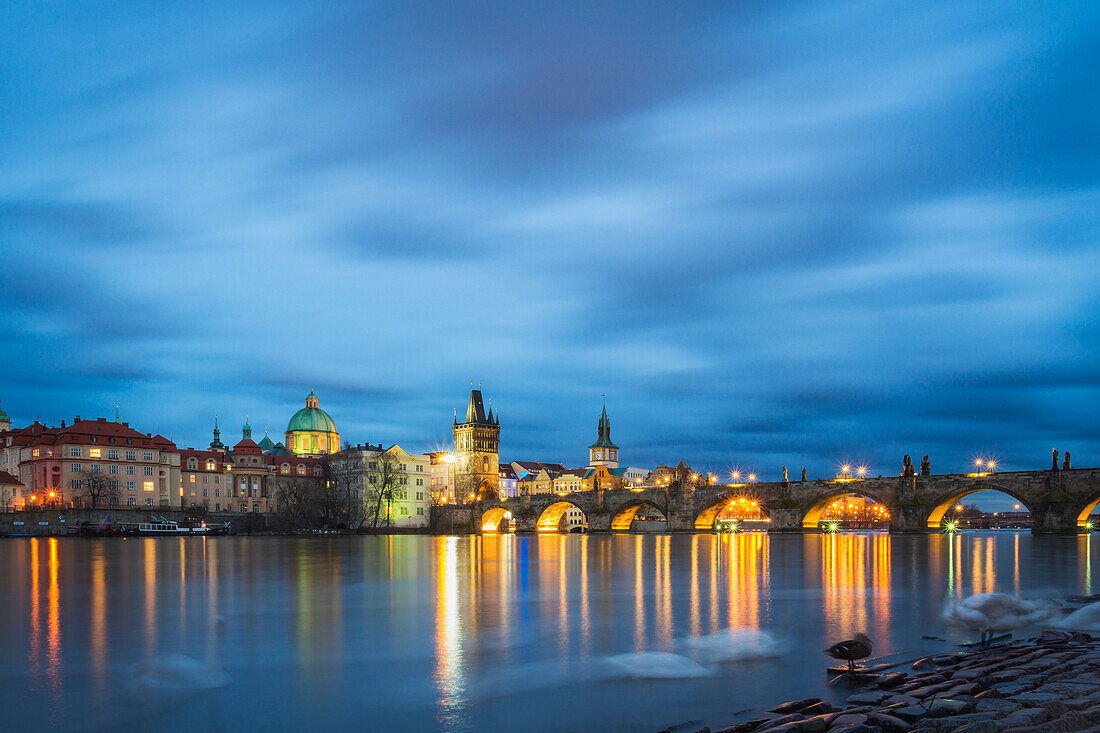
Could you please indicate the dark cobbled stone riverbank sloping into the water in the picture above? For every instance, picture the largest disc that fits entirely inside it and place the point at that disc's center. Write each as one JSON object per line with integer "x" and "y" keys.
{"x": 1047, "y": 684}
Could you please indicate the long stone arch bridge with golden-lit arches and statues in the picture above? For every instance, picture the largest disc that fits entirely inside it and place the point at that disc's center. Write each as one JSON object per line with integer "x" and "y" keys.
{"x": 1060, "y": 501}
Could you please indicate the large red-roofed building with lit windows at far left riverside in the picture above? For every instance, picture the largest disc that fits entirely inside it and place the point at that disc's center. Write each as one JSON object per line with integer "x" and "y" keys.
{"x": 54, "y": 464}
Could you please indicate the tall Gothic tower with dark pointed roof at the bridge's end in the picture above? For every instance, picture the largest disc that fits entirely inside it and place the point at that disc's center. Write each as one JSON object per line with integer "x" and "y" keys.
{"x": 477, "y": 457}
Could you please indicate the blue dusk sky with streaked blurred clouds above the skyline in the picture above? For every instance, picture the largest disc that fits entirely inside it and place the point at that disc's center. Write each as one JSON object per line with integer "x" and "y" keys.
{"x": 768, "y": 234}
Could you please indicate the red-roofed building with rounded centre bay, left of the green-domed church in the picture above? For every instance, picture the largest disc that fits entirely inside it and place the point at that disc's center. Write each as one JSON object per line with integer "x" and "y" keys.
{"x": 243, "y": 479}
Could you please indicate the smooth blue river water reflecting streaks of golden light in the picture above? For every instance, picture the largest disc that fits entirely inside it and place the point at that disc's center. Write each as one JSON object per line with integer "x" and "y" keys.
{"x": 544, "y": 633}
